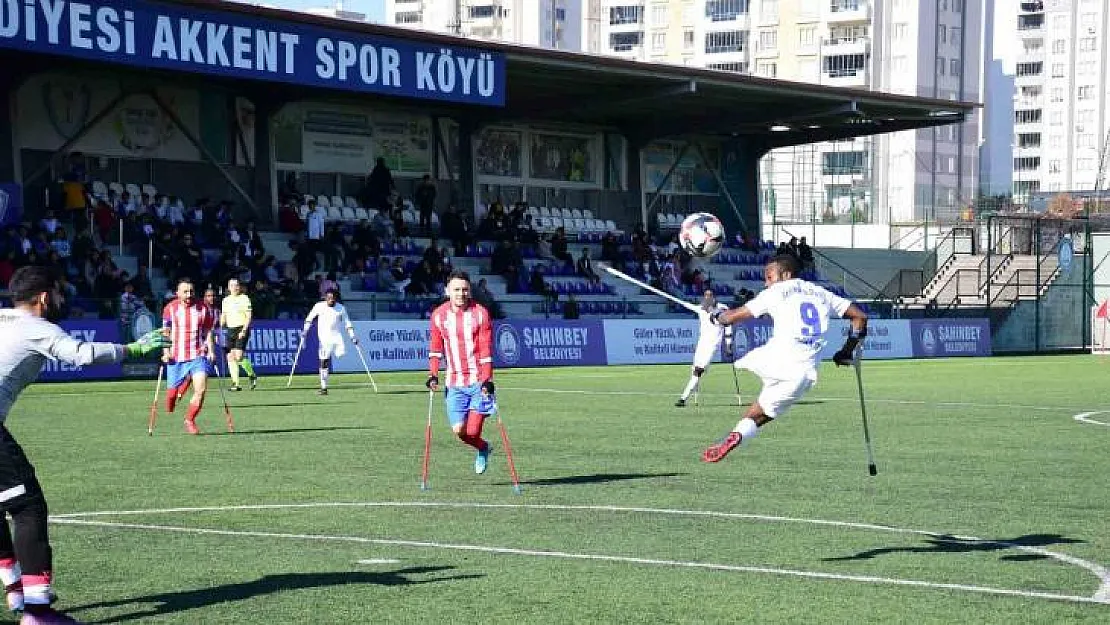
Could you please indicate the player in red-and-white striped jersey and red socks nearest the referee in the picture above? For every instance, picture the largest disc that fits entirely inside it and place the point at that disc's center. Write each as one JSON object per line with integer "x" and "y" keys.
{"x": 190, "y": 325}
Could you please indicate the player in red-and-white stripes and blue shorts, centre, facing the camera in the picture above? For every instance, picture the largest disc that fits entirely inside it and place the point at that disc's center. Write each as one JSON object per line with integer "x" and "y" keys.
{"x": 462, "y": 334}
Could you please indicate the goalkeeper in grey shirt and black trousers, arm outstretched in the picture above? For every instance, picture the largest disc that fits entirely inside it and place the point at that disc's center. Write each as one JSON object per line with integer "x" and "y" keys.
{"x": 27, "y": 341}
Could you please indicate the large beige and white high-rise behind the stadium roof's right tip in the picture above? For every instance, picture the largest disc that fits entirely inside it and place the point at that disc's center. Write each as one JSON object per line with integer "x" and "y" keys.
{"x": 926, "y": 48}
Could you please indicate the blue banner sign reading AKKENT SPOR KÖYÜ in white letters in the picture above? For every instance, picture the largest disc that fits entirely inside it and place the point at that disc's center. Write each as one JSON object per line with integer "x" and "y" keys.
{"x": 163, "y": 36}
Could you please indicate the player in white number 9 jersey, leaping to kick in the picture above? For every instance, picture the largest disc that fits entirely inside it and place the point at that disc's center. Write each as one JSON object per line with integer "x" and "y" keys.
{"x": 788, "y": 364}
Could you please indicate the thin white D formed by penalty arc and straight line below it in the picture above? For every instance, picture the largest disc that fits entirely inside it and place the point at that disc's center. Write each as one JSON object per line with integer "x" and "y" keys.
{"x": 1102, "y": 596}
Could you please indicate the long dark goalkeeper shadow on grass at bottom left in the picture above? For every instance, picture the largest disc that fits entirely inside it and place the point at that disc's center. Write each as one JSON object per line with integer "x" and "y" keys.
{"x": 170, "y": 603}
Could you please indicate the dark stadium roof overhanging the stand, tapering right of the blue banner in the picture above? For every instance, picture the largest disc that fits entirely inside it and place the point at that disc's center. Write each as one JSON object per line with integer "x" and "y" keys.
{"x": 650, "y": 100}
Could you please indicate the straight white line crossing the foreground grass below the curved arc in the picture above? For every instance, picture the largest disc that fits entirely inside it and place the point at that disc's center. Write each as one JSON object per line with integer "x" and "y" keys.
{"x": 598, "y": 558}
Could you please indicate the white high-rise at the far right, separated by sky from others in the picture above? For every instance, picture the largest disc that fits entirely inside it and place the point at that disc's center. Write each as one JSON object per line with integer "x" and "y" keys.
{"x": 1062, "y": 107}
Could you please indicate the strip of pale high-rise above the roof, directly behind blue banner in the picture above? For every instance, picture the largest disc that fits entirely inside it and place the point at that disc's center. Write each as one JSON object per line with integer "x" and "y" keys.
{"x": 547, "y": 24}
